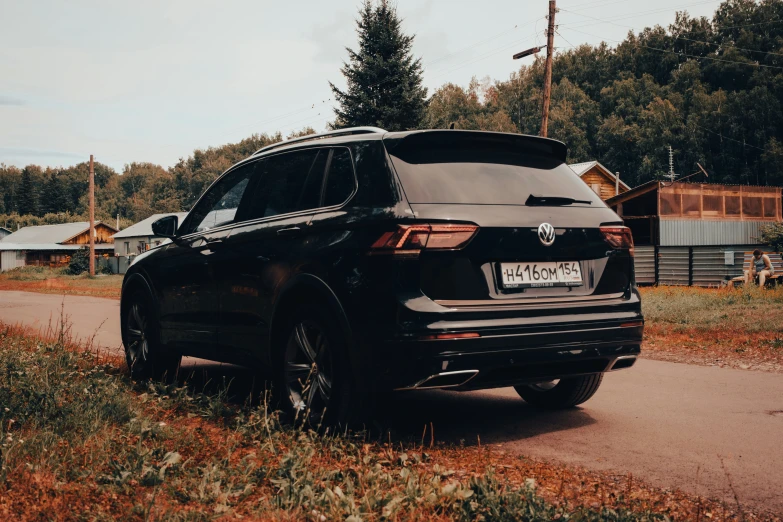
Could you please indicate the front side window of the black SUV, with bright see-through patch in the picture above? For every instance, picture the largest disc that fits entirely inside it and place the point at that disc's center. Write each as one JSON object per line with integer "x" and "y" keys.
{"x": 219, "y": 206}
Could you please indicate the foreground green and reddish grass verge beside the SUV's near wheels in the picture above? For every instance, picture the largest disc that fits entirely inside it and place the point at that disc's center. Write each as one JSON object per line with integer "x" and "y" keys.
{"x": 79, "y": 441}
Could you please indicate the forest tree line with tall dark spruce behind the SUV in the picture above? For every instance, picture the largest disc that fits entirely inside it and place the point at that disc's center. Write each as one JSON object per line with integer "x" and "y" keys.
{"x": 711, "y": 88}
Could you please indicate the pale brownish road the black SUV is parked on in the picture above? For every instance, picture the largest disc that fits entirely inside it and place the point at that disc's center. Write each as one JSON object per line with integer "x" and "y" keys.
{"x": 705, "y": 430}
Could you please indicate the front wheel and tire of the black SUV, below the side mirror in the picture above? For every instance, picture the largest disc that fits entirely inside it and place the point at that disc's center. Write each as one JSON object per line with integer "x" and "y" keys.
{"x": 144, "y": 354}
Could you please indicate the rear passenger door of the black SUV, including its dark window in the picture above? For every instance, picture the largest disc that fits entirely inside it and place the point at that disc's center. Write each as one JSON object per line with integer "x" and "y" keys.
{"x": 263, "y": 252}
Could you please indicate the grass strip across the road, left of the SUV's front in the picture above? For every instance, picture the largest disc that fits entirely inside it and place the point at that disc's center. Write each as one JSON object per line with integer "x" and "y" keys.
{"x": 56, "y": 281}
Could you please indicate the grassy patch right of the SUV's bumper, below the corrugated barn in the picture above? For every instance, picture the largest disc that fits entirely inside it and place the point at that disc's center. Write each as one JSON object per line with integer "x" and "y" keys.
{"x": 741, "y": 328}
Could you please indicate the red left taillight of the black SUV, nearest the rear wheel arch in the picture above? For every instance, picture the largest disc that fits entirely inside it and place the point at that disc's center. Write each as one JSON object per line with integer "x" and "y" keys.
{"x": 409, "y": 238}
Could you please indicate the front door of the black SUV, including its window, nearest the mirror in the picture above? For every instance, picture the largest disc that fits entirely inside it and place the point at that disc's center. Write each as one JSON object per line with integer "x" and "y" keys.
{"x": 189, "y": 311}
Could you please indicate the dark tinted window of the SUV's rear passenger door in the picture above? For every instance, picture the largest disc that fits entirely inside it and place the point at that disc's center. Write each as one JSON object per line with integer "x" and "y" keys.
{"x": 289, "y": 182}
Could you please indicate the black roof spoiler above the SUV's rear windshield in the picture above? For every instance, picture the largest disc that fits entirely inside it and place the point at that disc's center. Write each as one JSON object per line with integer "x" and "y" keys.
{"x": 533, "y": 145}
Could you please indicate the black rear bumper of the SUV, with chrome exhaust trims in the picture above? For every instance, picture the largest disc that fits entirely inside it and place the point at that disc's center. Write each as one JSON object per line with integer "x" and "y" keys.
{"x": 510, "y": 350}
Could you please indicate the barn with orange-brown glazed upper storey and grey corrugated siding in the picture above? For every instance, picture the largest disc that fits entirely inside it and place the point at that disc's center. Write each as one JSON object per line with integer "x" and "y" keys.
{"x": 695, "y": 233}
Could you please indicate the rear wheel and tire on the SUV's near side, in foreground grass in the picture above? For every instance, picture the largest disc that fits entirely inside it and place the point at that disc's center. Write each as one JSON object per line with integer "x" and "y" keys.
{"x": 313, "y": 383}
